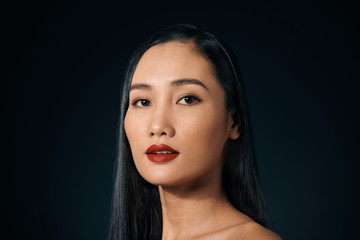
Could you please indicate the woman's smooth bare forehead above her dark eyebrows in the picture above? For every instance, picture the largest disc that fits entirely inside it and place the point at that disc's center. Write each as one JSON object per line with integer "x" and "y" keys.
{"x": 172, "y": 60}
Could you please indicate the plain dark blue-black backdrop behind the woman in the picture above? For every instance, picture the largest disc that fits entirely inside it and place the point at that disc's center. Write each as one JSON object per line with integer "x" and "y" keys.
{"x": 63, "y": 64}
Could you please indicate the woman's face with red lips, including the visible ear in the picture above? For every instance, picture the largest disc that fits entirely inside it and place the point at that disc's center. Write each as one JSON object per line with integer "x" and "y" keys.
{"x": 177, "y": 123}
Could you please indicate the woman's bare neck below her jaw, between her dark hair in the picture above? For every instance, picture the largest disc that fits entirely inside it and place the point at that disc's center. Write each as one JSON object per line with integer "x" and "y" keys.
{"x": 201, "y": 204}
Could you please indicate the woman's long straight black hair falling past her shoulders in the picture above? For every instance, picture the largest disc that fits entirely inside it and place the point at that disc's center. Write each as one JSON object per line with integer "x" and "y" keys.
{"x": 136, "y": 209}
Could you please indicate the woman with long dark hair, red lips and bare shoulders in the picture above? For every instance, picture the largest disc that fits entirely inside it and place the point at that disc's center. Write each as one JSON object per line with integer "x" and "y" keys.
{"x": 186, "y": 167}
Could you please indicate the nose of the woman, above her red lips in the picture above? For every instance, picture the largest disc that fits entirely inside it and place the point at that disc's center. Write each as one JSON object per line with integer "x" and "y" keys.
{"x": 161, "y": 124}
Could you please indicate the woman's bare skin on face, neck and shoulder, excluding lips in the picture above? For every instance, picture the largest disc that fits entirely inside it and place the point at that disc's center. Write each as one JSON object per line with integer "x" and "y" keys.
{"x": 192, "y": 119}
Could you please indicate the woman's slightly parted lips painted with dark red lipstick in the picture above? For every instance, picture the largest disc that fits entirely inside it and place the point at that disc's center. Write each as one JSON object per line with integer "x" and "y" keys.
{"x": 161, "y": 153}
